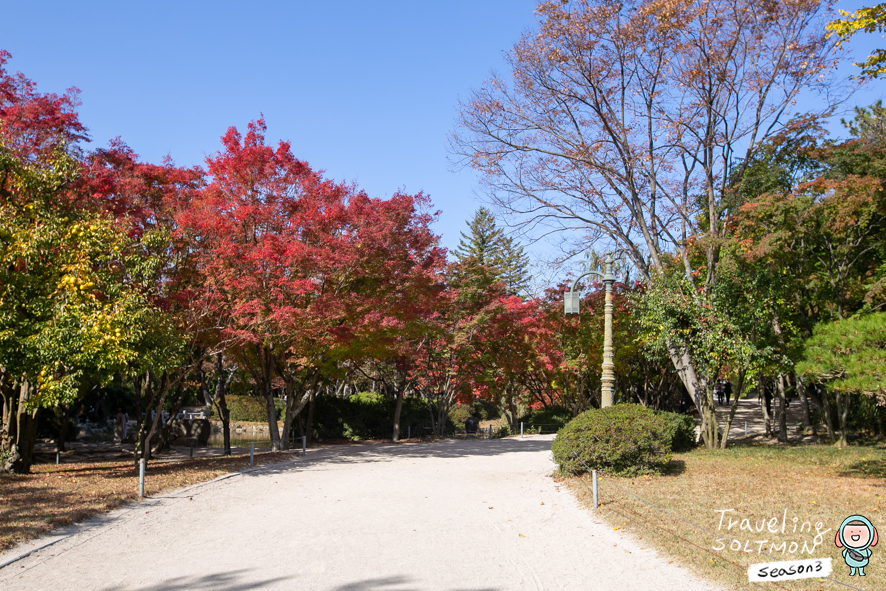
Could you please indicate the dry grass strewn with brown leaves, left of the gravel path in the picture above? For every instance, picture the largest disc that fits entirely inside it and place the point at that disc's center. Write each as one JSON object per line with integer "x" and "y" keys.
{"x": 57, "y": 495}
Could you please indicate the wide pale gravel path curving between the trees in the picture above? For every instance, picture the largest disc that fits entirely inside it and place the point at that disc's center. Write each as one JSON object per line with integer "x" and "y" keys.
{"x": 452, "y": 515}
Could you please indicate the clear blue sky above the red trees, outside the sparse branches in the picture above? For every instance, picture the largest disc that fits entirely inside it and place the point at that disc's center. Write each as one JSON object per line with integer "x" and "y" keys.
{"x": 365, "y": 90}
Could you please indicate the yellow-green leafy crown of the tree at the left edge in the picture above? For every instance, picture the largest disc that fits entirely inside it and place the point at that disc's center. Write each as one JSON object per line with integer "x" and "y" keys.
{"x": 76, "y": 289}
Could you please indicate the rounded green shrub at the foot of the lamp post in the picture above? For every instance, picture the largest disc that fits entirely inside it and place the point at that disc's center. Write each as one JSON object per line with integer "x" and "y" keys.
{"x": 625, "y": 439}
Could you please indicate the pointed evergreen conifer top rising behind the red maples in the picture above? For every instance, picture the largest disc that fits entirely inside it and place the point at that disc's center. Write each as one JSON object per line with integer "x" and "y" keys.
{"x": 487, "y": 245}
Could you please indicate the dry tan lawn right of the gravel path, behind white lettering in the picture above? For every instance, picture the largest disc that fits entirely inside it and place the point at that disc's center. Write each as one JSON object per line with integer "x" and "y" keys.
{"x": 815, "y": 484}
